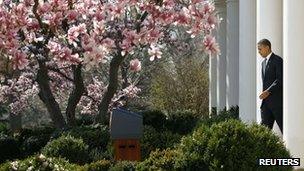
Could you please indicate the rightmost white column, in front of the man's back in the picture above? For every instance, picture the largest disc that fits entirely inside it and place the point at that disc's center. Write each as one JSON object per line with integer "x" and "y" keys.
{"x": 293, "y": 120}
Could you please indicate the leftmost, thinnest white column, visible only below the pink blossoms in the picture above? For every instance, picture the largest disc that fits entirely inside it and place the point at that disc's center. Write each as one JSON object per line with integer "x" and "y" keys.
{"x": 212, "y": 83}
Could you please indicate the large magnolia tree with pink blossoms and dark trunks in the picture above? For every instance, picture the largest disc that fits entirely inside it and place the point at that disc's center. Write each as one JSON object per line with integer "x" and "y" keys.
{"x": 46, "y": 47}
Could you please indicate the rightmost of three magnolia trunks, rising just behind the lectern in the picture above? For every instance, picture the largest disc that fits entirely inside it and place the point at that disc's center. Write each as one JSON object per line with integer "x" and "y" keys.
{"x": 103, "y": 107}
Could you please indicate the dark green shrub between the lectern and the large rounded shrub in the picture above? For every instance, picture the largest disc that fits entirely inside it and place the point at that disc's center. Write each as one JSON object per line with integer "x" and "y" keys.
{"x": 152, "y": 139}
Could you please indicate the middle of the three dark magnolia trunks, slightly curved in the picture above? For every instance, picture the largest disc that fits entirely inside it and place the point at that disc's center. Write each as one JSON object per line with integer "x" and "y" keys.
{"x": 75, "y": 95}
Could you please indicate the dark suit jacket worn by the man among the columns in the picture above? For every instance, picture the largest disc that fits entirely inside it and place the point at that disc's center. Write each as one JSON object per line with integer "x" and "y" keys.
{"x": 273, "y": 82}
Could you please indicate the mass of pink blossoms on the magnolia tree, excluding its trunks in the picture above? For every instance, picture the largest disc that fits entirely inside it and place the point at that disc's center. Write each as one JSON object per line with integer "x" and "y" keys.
{"x": 95, "y": 31}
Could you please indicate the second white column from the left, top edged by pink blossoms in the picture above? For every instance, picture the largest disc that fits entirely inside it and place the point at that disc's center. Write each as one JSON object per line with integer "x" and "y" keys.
{"x": 221, "y": 59}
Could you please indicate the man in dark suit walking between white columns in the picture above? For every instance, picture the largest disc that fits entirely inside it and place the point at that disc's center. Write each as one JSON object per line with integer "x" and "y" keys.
{"x": 272, "y": 95}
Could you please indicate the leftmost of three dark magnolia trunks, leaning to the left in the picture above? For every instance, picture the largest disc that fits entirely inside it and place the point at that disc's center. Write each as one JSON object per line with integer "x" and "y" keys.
{"x": 47, "y": 96}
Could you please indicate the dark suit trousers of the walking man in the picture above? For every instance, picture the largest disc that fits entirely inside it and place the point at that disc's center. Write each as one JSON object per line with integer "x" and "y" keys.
{"x": 270, "y": 115}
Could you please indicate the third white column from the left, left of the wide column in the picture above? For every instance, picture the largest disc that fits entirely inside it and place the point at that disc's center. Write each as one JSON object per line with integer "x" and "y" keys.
{"x": 232, "y": 77}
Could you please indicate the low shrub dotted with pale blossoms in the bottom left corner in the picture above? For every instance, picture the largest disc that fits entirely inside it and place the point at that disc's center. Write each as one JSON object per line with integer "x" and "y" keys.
{"x": 39, "y": 162}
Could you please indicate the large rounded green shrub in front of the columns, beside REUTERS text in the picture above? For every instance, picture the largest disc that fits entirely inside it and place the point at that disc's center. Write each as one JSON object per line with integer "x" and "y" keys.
{"x": 230, "y": 145}
